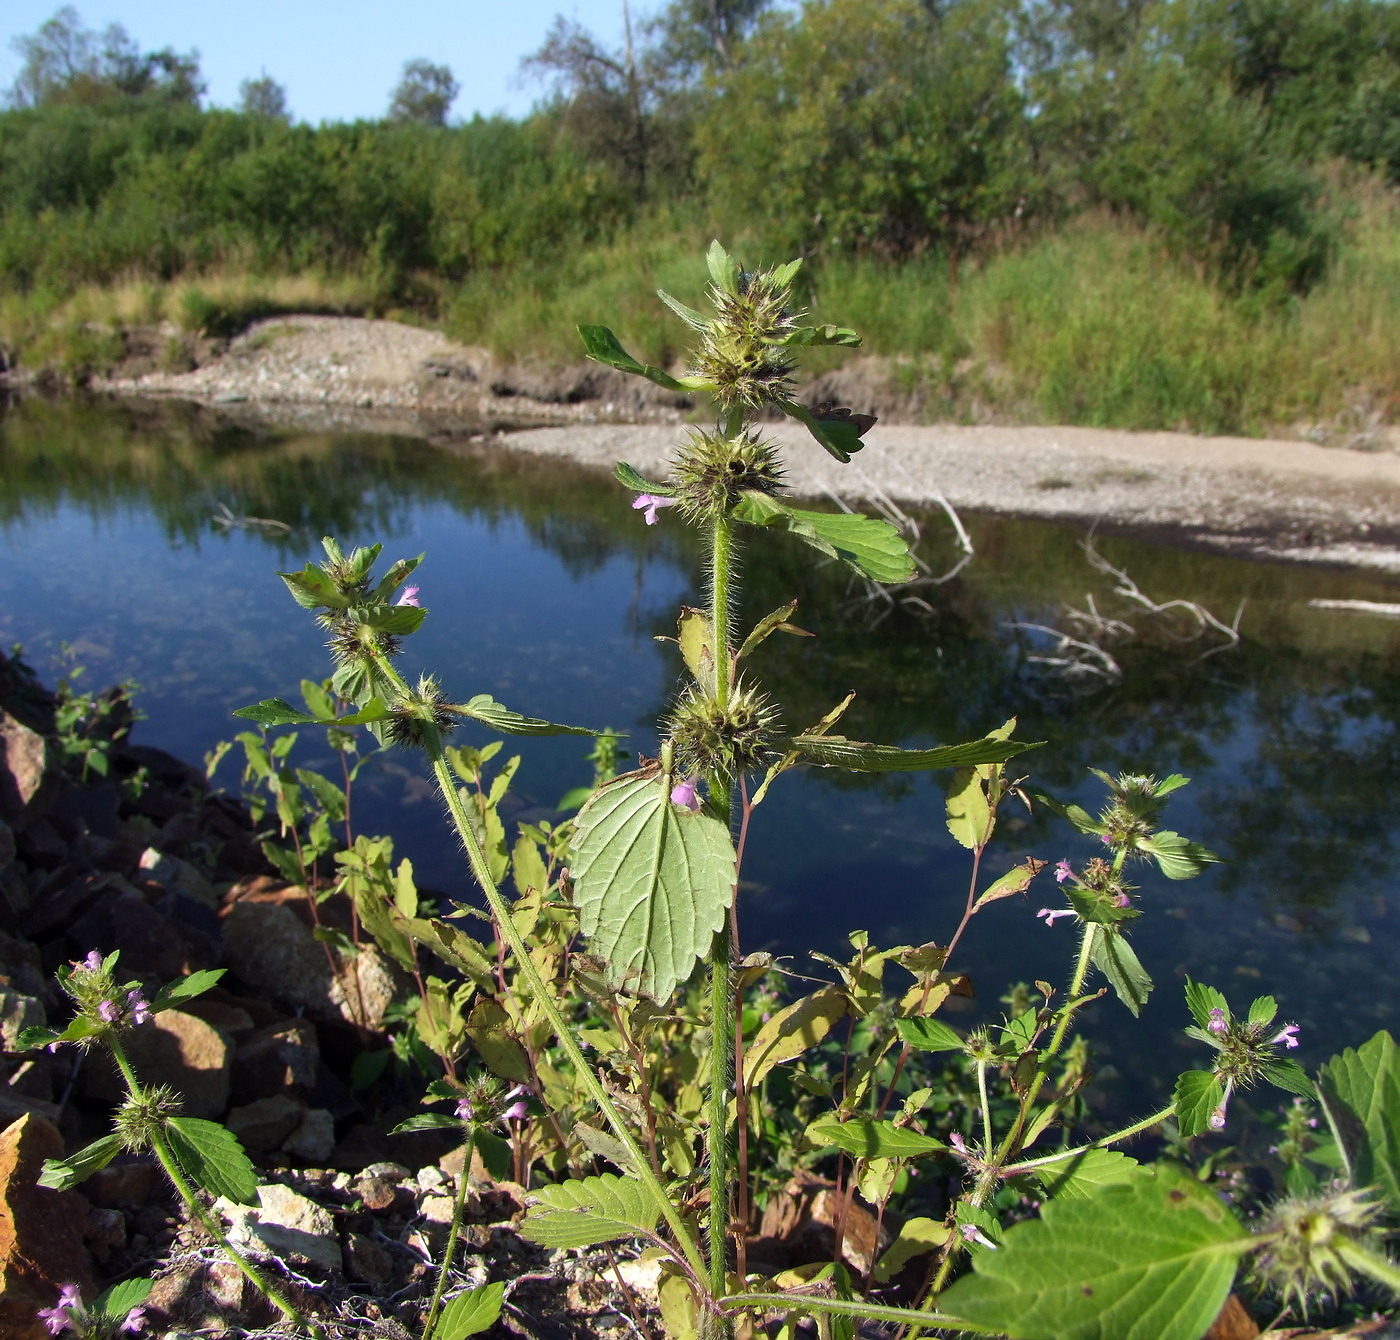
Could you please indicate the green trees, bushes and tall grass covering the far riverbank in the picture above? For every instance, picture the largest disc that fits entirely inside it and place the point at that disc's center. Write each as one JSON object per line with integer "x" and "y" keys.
{"x": 1144, "y": 214}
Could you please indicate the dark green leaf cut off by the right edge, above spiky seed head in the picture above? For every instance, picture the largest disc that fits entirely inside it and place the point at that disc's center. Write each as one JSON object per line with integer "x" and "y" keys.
{"x": 1363, "y": 1093}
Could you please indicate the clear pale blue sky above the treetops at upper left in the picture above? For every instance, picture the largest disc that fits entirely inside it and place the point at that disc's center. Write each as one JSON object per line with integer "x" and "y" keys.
{"x": 338, "y": 60}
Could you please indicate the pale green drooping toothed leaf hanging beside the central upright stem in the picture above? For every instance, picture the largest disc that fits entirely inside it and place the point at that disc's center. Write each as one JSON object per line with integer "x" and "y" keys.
{"x": 652, "y": 883}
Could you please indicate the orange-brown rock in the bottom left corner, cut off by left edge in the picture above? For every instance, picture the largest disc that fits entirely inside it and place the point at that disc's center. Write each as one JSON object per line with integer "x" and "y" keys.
{"x": 41, "y": 1231}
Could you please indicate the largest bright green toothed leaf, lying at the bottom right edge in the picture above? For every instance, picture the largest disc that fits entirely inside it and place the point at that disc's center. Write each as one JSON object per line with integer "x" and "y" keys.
{"x": 1149, "y": 1261}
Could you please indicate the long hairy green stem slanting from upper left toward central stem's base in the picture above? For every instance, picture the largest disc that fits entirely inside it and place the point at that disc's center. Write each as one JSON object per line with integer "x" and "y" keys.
{"x": 526, "y": 965}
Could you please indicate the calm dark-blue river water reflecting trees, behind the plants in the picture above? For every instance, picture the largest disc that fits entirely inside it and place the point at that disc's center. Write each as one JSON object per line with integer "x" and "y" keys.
{"x": 549, "y": 593}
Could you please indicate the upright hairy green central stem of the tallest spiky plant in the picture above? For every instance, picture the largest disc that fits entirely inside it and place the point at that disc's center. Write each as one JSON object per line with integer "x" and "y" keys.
{"x": 723, "y": 1026}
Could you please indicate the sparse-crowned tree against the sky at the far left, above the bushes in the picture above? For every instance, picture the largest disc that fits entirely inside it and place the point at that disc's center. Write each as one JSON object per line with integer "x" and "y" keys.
{"x": 65, "y": 62}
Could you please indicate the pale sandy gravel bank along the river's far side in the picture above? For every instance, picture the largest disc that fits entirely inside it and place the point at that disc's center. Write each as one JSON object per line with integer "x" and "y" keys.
{"x": 1279, "y": 499}
